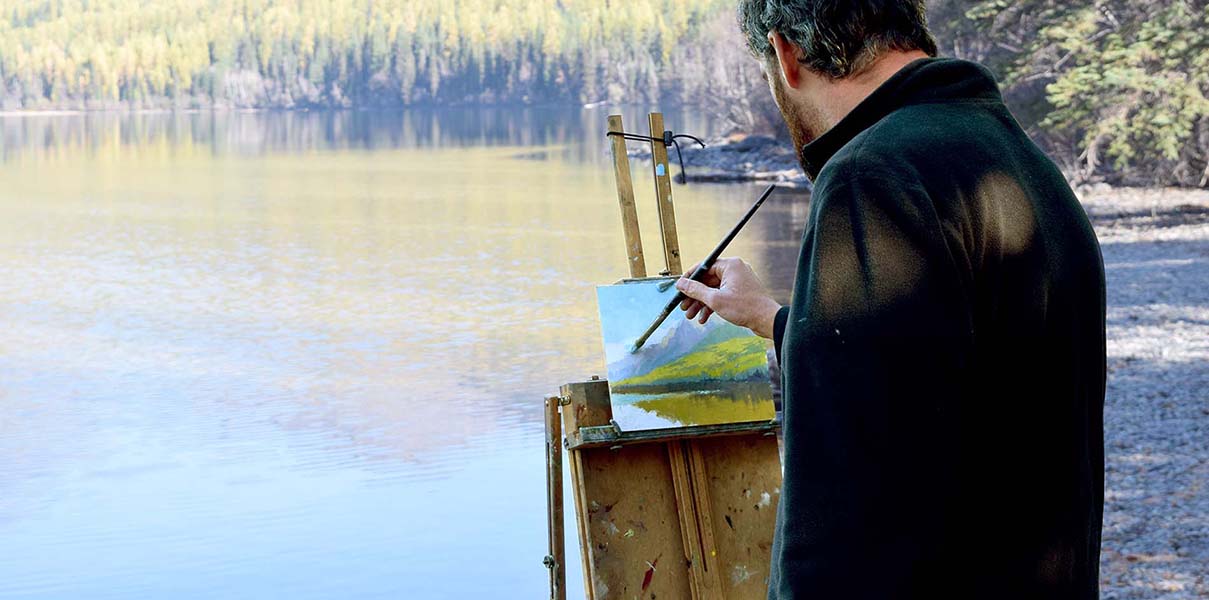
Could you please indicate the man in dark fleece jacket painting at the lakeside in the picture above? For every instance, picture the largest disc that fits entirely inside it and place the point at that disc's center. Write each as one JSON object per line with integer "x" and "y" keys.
{"x": 944, "y": 360}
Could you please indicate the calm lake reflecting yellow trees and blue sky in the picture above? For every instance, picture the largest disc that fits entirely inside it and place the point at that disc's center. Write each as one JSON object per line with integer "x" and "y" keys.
{"x": 303, "y": 355}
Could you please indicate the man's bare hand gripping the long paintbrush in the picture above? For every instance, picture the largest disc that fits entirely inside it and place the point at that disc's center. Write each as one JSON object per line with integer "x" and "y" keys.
{"x": 732, "y": 291}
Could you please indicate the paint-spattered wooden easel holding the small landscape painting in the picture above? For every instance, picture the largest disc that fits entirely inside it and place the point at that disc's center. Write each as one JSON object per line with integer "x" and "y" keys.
{"x": 685, "y": 514}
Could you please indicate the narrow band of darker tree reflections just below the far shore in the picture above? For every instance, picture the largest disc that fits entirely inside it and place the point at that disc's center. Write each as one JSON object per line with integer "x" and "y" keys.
{"x": 253, "y": 134}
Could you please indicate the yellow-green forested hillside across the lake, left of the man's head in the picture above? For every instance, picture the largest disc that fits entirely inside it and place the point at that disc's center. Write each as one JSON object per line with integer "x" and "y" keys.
{"x": 339, "y": 53}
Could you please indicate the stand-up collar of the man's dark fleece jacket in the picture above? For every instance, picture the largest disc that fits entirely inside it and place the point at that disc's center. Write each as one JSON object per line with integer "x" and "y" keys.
{"x": 927, "y": 80}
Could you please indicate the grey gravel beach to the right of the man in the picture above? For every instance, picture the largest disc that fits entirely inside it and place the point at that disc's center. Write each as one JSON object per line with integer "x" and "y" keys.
{"x": 1156, "y": 414}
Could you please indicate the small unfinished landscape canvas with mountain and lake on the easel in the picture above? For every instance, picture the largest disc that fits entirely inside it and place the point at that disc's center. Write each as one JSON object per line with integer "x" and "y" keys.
{"x": 687, "y": 373}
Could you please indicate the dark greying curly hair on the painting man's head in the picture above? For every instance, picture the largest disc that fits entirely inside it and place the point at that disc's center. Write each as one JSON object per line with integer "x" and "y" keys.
{"x": 837, "y": 38}
